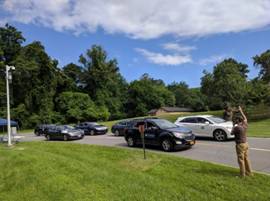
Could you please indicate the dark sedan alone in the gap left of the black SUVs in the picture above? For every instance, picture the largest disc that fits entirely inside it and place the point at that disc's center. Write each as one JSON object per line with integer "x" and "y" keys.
{"x": 92, "y": 128}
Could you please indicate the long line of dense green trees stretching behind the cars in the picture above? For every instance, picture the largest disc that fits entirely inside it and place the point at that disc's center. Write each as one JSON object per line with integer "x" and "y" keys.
{"x": 93, "y": 89}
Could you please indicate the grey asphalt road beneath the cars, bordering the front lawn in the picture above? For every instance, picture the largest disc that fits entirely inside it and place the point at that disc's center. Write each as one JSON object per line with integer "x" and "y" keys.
{"x": 204, "y": 149}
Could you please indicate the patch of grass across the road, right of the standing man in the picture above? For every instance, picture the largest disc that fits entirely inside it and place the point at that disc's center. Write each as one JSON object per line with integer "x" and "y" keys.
{"x": 259, "y": 128}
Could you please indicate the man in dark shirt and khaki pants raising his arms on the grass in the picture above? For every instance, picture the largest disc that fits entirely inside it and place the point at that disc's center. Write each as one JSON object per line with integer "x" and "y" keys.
{"x": 240, "y": 132}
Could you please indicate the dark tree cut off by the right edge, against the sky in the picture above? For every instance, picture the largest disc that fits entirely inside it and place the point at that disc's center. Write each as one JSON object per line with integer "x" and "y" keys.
{"x": 263, "y": 62}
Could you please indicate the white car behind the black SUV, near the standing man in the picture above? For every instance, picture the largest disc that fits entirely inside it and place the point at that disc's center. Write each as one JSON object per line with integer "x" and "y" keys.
{"x": 207, "y": 126}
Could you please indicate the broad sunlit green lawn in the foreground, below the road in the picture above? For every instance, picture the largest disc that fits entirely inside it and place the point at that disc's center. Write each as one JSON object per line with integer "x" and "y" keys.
{"x": 65, "y": 171}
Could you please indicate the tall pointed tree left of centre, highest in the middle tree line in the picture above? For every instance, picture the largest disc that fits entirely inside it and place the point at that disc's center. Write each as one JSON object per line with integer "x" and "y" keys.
{"x": 103, "y": 82}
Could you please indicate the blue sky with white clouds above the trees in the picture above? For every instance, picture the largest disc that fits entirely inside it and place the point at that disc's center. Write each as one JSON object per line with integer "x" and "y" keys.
{"x": 170, "y": 40}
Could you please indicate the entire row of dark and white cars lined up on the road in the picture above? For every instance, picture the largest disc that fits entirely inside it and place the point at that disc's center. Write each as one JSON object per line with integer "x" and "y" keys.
{"x": 158, "y": 132}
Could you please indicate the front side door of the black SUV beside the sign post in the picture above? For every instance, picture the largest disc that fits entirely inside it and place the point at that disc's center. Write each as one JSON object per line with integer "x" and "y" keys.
{"x": 151, "y": 133}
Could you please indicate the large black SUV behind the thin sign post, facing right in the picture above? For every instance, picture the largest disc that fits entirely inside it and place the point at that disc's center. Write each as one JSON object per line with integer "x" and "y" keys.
{"x": 159, "y": 132}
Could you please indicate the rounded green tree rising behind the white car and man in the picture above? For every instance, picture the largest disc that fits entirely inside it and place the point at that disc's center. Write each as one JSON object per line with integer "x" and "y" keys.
{"x": 227, "y": 83}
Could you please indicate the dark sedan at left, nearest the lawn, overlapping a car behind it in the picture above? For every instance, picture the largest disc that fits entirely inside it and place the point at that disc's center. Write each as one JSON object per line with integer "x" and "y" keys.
{"x": 63, "y": 133}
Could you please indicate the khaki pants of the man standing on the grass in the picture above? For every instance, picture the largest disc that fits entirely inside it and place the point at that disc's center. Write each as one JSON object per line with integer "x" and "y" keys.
{"x": 243, "y": 161}
